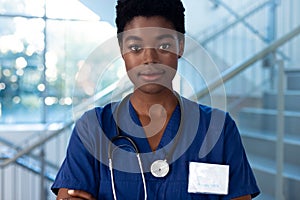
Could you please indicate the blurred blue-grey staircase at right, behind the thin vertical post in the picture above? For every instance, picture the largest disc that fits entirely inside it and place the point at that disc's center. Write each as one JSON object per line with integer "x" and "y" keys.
{"x": 258, "y": 130}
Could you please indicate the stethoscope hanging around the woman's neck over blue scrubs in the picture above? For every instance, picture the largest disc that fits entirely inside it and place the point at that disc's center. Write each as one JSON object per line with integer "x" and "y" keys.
{"x": 159, "y": 168}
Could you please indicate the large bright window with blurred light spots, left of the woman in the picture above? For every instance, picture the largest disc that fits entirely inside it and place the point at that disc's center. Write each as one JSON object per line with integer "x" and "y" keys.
{"x": 41, "y": 54}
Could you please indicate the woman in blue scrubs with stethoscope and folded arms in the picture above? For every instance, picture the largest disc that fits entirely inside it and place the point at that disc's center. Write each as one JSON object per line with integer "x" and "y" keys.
{"x": 151, "y": 39}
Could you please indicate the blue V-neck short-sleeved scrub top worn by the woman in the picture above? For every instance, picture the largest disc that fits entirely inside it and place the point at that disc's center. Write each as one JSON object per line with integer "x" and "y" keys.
{"x": 86, "y": 164}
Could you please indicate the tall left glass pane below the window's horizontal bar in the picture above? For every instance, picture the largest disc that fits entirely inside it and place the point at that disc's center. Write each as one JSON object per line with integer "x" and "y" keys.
{"x": 21, "y": 69}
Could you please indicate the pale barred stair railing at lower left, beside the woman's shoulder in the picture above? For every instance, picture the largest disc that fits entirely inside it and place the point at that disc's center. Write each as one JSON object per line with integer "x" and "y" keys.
{"x": 33, "y": 157}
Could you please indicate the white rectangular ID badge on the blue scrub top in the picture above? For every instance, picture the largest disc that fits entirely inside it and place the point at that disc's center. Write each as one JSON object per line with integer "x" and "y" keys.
{"x": 208, "y": 178}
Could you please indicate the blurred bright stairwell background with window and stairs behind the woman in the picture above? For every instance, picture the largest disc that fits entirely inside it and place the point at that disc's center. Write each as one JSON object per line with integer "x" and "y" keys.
{"x": 45, "y": 43}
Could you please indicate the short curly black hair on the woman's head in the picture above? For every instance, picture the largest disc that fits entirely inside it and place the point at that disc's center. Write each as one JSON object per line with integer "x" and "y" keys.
{"x": 172, "y": 10}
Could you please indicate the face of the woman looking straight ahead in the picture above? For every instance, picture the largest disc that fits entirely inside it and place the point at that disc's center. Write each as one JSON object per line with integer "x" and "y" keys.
{"x": 151, "y": 48}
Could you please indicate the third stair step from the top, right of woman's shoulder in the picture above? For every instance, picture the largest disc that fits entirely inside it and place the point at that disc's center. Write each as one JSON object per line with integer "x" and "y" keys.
{"x": 265, "y": 120}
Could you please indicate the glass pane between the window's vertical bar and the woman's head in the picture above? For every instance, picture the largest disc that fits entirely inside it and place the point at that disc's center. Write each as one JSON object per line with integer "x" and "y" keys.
{"x": 69, "y": 44}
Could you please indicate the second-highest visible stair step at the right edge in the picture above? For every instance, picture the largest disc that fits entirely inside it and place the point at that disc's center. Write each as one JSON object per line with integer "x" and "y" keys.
{"x": 292, "y": 100}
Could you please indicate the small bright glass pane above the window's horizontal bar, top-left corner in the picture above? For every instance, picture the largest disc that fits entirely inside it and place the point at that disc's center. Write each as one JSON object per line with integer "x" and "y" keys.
{"x": 22, "y": 7}
